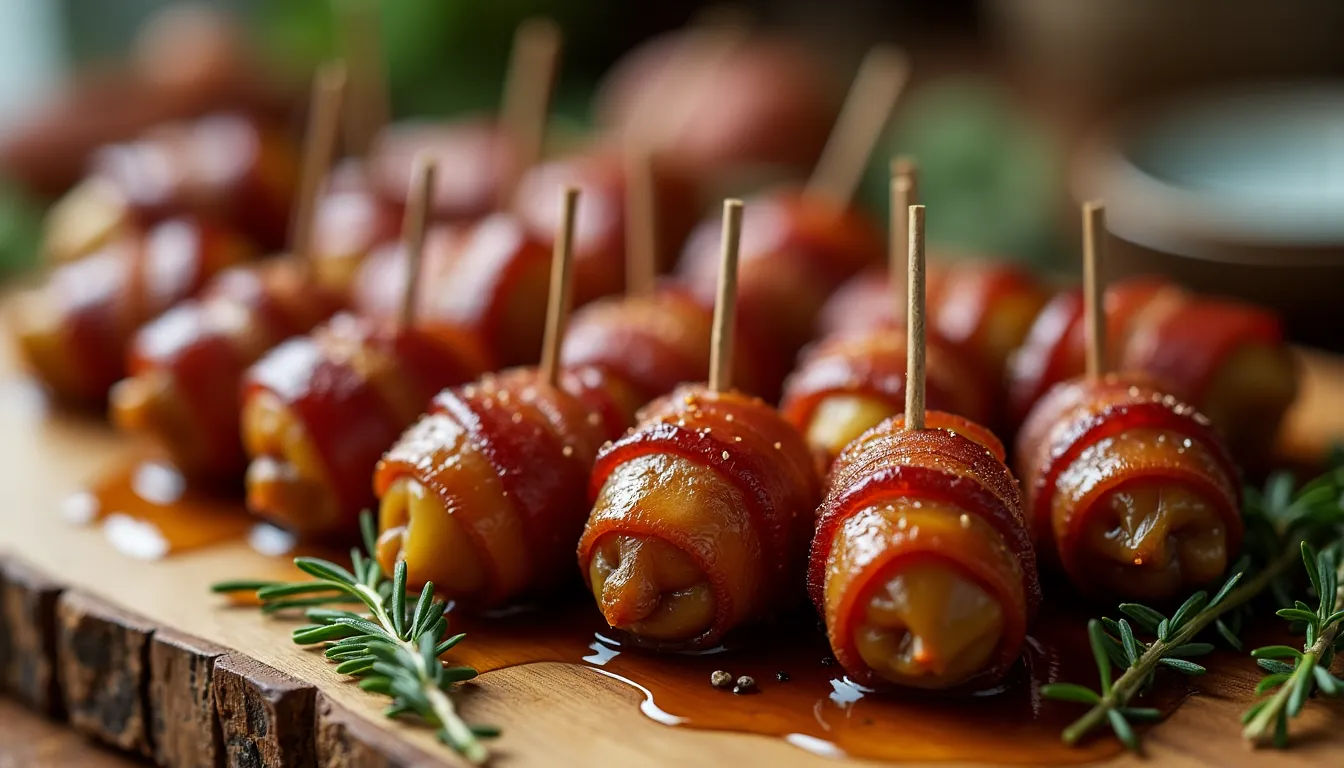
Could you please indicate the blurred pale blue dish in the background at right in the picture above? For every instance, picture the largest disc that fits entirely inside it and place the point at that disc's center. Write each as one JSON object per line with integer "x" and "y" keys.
{"x": 1237, "y": 193}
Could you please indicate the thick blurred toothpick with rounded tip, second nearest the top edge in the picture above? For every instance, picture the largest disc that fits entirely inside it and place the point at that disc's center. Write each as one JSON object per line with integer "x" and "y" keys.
{"x": 528, "y": 99}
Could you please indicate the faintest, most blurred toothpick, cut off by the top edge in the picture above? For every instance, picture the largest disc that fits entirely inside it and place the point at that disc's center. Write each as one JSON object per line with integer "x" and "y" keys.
{"x": 362, "y": 44}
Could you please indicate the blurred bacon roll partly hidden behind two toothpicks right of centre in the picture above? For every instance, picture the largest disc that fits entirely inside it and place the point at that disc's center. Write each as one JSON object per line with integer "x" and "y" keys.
{"x": 982, "y": 307}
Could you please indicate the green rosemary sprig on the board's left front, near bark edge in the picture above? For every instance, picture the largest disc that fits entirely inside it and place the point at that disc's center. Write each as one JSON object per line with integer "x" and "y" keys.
{"x": 394, "y": 650}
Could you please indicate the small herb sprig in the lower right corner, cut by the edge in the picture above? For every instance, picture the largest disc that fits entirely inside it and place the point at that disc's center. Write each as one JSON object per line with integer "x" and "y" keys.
{"x": 1306, "y": 670}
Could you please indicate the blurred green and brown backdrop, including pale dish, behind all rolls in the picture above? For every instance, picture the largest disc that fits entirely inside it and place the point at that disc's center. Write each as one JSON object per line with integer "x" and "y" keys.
{"x": 1214, "y": 128}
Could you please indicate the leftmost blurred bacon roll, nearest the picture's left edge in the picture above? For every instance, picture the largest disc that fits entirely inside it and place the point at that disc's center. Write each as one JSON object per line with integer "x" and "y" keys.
{"x": 75, "y": 332}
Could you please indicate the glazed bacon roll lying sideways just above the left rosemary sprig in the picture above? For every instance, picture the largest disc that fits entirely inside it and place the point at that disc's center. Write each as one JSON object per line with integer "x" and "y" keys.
{"x": 486, "y": 494}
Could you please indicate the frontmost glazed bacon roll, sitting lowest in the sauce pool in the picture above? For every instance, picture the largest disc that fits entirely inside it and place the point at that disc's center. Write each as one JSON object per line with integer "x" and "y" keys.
{"x": 923, "y": 566}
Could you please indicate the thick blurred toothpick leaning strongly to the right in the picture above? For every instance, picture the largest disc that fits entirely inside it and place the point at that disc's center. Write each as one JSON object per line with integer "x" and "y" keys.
{"x": 874, "y": 93}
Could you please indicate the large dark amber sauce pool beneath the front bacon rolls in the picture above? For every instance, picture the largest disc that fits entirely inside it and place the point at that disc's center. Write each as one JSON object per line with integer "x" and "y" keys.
{"x": 815, "y": 707}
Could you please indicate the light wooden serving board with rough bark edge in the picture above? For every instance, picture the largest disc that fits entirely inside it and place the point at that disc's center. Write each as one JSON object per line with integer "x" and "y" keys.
{"x": 138, "y": 653}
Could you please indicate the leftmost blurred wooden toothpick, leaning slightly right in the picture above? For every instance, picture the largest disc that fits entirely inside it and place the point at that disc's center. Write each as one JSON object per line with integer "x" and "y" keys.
{"x": 319, "y": 146}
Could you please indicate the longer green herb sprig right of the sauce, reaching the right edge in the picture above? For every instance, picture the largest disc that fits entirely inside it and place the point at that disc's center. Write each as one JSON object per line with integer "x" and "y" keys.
{"x": 1277, "y": 524}
